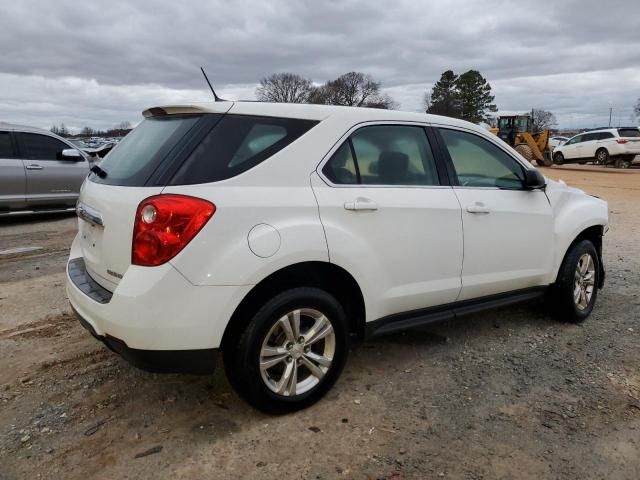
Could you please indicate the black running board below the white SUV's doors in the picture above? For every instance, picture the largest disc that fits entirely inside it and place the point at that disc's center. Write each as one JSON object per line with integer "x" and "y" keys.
{"x": 418, "y": 318}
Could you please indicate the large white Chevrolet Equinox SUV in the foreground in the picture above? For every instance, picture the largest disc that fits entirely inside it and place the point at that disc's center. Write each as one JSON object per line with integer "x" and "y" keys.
{"x": 279, "y": 233}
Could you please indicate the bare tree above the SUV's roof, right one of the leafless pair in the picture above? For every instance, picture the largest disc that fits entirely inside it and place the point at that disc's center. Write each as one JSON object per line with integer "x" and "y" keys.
{"x": 354, "y": 89}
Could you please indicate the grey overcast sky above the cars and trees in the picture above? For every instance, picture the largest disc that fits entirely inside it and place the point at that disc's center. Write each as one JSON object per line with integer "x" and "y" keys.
{"x": 99, "y": 63}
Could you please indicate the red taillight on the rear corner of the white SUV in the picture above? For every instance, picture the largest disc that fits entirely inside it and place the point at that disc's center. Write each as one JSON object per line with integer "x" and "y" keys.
{"x": 164, "y": 225}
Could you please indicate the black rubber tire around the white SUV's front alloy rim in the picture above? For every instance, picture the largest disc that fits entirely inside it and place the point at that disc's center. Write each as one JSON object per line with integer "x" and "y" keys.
{"x": 560, "y": 298}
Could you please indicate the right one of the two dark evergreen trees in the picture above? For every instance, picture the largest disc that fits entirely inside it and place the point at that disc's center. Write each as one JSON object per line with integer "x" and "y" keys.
{"x": 475, "y": 97}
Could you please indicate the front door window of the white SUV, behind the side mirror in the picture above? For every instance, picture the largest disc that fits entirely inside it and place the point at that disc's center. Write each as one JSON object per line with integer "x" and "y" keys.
{"x": 479, "y": 163}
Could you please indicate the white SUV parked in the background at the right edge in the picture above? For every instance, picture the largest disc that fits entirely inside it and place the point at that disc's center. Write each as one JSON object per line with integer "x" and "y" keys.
{"x": 616, "y": 146}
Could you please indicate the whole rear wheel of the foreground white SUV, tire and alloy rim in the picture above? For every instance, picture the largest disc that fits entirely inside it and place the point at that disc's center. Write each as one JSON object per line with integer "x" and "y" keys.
{"x": 291, "y": 353}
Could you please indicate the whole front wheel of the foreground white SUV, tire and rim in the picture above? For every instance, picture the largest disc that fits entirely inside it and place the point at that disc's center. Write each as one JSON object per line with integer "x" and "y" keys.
{"x": 574, "y": 294}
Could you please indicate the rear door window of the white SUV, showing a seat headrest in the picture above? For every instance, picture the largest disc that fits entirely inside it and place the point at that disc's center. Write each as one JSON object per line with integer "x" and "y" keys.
{"x": 394, "y": 155}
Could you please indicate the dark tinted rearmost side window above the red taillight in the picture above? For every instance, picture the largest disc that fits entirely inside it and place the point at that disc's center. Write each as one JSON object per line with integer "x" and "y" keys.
{"x": 236, "y": 144}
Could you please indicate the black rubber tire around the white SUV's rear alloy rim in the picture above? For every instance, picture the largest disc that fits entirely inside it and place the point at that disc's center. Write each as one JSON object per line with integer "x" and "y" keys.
{"x": 241, "y": 356}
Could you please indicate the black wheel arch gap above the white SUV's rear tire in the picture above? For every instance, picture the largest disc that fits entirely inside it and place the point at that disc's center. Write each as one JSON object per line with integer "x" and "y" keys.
{"x": 327, "y": 276}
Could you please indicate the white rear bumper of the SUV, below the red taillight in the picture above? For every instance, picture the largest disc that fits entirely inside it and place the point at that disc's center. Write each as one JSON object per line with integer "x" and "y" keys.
{"x": 153, "y": 308}
